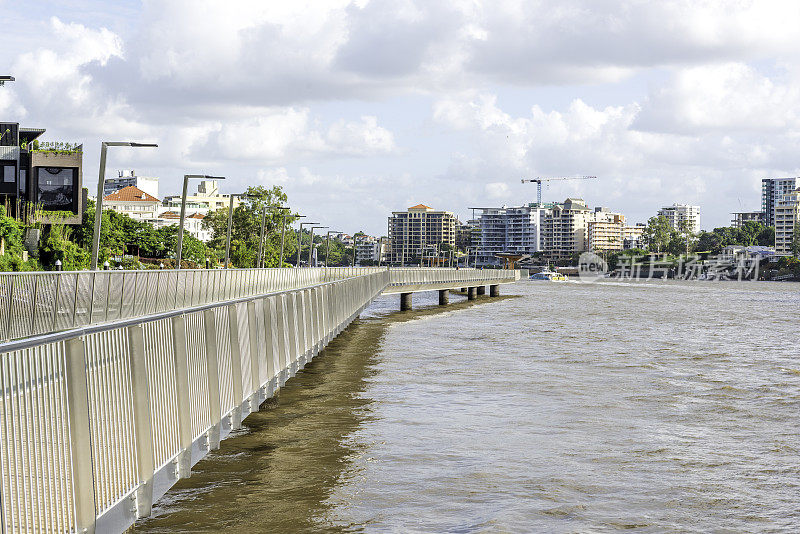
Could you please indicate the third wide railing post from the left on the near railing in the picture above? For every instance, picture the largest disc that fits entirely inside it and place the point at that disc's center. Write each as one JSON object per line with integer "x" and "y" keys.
{"x": 180, "y": 352}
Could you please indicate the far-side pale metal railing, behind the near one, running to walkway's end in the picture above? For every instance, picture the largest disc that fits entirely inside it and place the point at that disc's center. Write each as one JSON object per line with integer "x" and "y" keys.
{"x": 44, "y": 302}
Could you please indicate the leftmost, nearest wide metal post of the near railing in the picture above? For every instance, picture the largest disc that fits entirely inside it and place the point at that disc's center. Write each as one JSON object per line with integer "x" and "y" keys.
{"x": 80, "y": 440}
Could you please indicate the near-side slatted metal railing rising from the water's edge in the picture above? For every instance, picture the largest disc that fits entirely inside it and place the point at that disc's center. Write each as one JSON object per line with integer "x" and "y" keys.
{"x": 99, "y": 421}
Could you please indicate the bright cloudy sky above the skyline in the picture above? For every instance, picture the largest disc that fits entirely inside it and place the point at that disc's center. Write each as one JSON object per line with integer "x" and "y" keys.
{"x": 360, "y": 108}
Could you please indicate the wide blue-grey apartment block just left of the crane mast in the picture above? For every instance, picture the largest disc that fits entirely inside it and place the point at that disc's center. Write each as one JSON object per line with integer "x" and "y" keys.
{"x": 508, "y": 230}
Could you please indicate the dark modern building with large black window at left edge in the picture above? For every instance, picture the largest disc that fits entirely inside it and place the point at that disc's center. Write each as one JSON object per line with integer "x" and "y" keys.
{"x": 39, "y": 176}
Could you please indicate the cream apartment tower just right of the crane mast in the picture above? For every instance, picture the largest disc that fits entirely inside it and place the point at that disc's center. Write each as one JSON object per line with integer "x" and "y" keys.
{"x": 564, "y": 229}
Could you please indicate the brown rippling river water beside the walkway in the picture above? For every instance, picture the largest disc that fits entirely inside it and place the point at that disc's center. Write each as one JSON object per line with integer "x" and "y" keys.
{"x": 654, "y": 406}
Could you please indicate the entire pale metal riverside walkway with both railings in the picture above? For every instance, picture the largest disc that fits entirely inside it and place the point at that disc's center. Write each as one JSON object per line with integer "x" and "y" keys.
{"x": 114, "y": 383}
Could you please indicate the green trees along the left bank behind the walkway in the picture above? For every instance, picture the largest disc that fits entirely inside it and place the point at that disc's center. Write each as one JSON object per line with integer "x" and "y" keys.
{"x": 134, "y": 244}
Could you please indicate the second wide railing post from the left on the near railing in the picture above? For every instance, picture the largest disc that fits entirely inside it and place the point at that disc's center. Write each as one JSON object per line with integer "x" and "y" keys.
{"x": 141, "y": 420}
